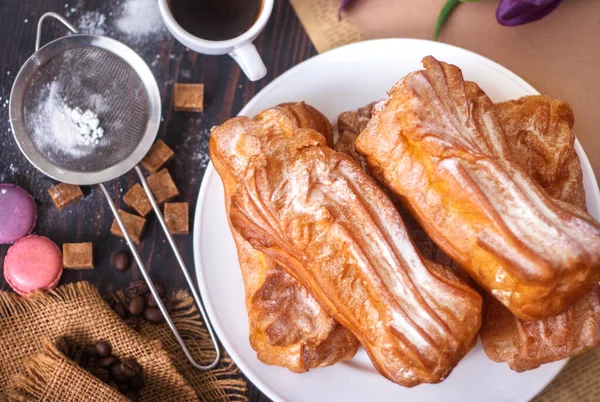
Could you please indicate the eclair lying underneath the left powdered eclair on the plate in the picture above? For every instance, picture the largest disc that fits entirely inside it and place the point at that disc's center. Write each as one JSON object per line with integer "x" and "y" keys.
{"x": 287, "y": 326}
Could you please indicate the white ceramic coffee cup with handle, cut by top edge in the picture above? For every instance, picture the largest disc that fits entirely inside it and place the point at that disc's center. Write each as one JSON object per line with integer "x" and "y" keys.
{"x": 240, "y": 48}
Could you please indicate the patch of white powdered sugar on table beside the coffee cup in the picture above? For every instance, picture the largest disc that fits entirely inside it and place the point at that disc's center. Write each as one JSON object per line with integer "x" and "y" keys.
{"x": 139, "y": 18}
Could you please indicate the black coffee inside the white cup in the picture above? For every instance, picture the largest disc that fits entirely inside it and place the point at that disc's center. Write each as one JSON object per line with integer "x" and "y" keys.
{"x": 215, "y": 19}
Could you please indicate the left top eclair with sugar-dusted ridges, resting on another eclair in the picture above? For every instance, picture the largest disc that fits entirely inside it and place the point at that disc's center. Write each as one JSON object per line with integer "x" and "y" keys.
{"x": 314, "y": 210}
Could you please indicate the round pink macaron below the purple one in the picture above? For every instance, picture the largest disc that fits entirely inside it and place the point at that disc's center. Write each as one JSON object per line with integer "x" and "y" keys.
{"x": 33, "y": 263}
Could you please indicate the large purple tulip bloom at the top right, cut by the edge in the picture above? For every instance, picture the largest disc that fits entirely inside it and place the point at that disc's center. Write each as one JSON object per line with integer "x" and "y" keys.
{"x": 517, "y": 12}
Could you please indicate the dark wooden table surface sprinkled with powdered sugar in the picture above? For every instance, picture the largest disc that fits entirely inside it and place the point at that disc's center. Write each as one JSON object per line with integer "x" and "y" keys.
{"x": 282, "y": 45}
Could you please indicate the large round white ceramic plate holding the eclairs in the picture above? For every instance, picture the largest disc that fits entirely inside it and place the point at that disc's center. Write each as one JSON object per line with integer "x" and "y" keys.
{"x": 336, "y": 81}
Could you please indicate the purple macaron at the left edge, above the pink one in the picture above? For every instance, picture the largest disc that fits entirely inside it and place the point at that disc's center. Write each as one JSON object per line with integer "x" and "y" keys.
{"x": 18, "y": 213}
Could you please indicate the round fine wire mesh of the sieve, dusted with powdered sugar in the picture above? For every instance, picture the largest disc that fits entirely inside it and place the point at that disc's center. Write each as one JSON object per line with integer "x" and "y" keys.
{"x": 92, "y": 78}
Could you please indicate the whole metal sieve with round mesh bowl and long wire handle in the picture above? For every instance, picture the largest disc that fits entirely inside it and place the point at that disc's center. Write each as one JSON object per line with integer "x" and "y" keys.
{"x": 106, "y": 76}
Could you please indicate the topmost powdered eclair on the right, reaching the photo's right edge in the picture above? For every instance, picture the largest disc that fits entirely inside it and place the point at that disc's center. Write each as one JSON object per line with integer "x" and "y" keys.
{"x": 437, "y": 143}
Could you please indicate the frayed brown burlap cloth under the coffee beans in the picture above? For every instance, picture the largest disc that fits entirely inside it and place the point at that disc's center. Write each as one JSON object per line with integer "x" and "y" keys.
{"x": 32, "y": 369}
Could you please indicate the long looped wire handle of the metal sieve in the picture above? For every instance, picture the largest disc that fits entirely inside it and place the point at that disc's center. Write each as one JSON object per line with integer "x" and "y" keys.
{"x": 150, "y": 284}
